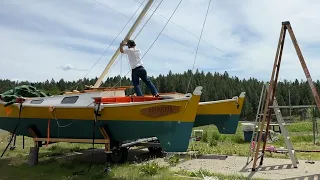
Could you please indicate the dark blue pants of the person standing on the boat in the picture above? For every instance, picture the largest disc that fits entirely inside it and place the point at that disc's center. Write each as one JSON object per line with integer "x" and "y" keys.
{"x": 140, "y": 72}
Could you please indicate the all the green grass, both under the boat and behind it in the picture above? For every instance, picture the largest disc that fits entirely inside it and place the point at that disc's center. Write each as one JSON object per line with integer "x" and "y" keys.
{"x": 13, "y": 165}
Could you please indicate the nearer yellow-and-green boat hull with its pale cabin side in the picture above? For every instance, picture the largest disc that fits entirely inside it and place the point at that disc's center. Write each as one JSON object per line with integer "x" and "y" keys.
{"x": 170, "y": 120}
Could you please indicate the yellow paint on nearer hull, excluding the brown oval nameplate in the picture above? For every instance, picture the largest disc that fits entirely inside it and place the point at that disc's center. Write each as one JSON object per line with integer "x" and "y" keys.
{"x": 124, "y": 113}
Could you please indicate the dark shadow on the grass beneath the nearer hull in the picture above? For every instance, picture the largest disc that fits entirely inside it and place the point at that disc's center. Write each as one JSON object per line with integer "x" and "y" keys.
{"x": 61, "y": 162}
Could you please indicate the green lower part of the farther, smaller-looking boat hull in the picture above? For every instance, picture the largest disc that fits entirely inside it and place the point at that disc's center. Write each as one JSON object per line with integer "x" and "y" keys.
{"x": 226, "y": 123}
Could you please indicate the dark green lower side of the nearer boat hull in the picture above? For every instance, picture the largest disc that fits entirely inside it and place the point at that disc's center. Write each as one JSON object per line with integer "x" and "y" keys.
{"x": 173, "y": 136}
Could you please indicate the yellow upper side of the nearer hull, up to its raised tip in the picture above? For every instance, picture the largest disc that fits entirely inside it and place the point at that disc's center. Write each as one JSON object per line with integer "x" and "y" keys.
{"x": 122, "y": 111}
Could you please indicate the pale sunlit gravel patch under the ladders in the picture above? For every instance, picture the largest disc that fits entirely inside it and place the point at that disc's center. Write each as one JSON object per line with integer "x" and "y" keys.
{"x": 271, "y": 169}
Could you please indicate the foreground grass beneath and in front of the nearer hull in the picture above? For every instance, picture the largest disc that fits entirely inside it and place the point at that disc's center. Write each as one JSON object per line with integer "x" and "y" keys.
{"x": 13, "y": 165}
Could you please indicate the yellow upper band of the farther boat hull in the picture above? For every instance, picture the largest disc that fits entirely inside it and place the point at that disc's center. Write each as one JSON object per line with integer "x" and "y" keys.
{"x": 227, "y": 107}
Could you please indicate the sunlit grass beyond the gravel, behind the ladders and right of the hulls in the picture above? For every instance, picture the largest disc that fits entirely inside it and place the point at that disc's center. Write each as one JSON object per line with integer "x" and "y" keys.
{"x": 216, "y": 143}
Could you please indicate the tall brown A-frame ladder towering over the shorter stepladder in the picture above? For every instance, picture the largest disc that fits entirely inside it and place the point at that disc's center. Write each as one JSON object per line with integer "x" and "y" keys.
{"x": 273, "y": 84}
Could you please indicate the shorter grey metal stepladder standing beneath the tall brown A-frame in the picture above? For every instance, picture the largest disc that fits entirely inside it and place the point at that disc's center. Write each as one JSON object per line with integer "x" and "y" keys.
{"x": 281, "y": 122}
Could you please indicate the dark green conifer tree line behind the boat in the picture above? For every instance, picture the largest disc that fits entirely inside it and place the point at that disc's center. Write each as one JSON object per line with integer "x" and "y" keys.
{"x": 216, "y": 86}
